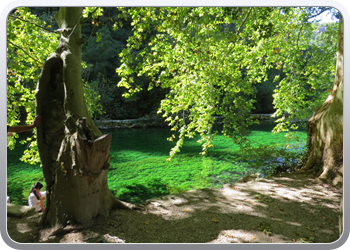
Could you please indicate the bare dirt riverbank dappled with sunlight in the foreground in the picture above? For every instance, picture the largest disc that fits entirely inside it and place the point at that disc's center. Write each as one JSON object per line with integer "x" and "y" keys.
{"x": 291, "y": 208}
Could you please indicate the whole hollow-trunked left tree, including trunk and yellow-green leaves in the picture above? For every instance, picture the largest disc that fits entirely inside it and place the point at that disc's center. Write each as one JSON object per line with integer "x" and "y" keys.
{"x": 67, "y": 132}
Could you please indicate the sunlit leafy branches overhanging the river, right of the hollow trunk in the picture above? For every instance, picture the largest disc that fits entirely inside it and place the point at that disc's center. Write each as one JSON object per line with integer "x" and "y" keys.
{"x": 210, "y": 59}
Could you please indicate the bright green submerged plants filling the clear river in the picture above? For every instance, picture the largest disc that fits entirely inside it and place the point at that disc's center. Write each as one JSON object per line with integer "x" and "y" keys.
{"x": 139, "y": 169}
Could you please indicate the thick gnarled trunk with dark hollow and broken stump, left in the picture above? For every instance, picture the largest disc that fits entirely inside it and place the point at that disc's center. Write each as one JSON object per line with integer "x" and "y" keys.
{"x": 74, "y": 153}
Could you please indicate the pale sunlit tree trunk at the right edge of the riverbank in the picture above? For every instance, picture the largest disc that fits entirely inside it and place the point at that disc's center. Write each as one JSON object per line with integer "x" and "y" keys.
{"x": 325, "y": 129}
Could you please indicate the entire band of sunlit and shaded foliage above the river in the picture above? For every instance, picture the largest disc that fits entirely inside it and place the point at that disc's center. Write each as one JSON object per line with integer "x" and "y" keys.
{"x": 190, "y": 63}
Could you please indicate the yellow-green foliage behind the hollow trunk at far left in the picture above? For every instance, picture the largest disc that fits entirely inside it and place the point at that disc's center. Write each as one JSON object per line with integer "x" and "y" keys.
{"x": 30, "y": 41}
